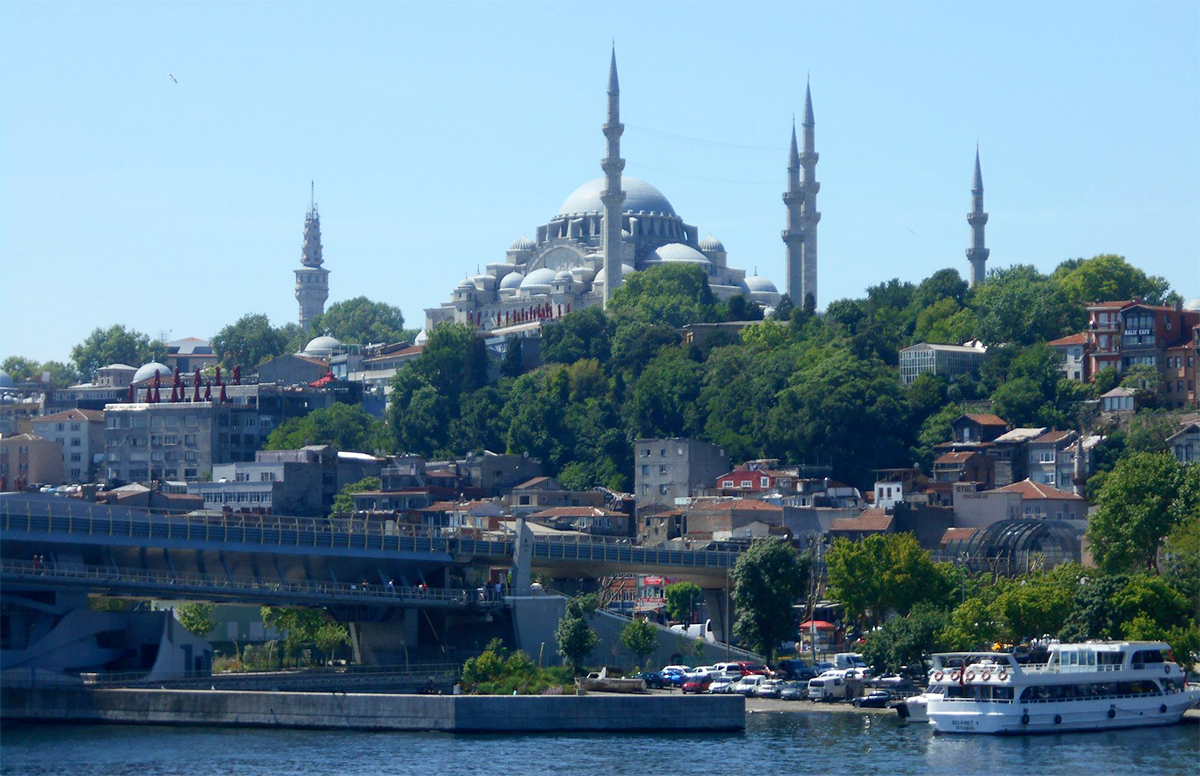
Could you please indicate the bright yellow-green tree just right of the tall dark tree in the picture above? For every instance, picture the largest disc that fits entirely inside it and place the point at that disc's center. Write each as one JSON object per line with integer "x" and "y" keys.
{"x": 881, "y": 574}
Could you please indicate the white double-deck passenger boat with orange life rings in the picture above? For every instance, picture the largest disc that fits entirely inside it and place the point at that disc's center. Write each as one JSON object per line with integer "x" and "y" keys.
{"x": 1091, "y": 687}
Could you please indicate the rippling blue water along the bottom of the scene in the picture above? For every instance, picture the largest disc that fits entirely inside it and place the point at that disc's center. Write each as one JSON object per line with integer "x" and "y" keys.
{"x": 811, "y": 743}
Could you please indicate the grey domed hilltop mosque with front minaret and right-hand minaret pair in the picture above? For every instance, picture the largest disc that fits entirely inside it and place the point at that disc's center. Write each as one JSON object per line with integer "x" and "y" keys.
{"x": 577, "y": 261}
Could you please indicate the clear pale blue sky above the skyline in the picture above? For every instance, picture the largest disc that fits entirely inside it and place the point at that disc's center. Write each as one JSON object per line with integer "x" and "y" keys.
{"x": 440, "y": 134}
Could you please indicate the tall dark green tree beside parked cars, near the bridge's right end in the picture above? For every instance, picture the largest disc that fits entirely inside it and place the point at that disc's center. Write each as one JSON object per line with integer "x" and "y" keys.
{"x": 767, "y": 580}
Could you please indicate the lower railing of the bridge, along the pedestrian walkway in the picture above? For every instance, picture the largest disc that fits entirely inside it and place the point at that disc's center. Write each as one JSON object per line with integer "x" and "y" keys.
{"x": 165, "y": 583}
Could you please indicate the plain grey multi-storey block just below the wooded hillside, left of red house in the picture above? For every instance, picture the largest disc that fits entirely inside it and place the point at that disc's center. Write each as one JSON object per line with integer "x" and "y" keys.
{"x": 669, "y": 470}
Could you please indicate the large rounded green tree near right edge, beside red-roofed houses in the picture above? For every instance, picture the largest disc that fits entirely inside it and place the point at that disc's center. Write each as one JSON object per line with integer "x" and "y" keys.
{"x": 1136, "y": 512}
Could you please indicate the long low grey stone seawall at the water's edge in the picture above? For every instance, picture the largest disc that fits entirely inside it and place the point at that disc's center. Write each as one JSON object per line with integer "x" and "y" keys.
{"x": 369, "y": 712}
